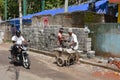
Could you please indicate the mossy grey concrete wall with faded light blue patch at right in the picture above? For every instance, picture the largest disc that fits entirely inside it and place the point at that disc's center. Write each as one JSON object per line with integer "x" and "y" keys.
{"x": 106, "y": 38}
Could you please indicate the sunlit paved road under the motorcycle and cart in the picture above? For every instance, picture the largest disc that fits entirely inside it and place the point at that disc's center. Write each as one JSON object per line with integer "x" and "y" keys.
{"x": 44, "y": 68}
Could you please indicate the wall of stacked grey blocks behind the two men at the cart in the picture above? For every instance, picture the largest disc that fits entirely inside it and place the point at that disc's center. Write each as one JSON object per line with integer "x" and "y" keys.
{"x": 46, "y": 39}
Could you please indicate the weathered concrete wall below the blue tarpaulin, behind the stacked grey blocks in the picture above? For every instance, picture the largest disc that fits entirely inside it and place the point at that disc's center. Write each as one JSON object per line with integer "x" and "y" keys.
{"x": 74, "y": 19}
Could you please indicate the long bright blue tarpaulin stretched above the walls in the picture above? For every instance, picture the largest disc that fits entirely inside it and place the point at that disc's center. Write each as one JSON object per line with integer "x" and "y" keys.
{"x": 101, "y": 7}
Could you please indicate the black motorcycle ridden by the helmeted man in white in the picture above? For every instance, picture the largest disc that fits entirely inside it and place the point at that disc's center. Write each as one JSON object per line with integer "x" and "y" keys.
{"x": 21, "y": 56}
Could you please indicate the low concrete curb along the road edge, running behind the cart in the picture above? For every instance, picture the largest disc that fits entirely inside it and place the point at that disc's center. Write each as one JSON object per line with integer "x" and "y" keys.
{"x": 81, "y": 60}
